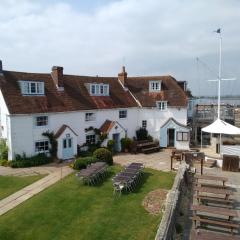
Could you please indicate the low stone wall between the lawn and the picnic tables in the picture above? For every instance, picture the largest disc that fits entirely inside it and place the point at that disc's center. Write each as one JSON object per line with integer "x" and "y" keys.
{"x": 166, "y": 230}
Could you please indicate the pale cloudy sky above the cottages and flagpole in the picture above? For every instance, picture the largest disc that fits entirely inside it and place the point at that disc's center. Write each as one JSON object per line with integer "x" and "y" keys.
{"x": 149, "y": 37}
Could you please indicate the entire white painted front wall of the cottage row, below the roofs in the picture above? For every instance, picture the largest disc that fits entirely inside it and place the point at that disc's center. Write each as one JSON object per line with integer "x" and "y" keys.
{"x": 24, "y": 133}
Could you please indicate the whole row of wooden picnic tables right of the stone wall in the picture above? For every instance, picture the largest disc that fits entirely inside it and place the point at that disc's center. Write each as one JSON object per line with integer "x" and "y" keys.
{"x": 213, "y": 208}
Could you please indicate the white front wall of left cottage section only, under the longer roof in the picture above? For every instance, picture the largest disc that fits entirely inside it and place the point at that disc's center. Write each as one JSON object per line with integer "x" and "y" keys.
{"x": 25, "y": 133}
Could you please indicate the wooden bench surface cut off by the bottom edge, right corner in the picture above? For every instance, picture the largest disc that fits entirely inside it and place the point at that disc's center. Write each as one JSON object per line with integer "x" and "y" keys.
{"x": 202, "y": 235}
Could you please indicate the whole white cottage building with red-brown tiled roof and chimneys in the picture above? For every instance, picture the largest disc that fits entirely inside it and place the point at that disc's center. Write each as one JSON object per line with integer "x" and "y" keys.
{"x": 33, "y": 103}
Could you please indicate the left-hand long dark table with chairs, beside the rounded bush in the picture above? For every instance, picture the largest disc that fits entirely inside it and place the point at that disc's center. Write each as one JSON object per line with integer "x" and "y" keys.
{"x": 93, "y": 174}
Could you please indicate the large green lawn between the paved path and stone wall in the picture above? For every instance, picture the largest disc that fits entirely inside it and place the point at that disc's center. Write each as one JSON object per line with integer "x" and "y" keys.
{"x": 70, "y": 210}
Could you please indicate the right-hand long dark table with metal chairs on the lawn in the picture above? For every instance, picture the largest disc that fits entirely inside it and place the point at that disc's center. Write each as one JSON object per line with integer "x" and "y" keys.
{"x": 128, "y": 178}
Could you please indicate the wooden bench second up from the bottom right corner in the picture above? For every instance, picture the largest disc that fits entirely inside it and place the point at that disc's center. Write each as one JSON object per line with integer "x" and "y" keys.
{"x": 221, "y": 223}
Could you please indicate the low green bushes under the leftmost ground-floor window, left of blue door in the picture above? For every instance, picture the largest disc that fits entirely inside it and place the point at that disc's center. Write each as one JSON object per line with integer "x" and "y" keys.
{"x": 23, "y": 161}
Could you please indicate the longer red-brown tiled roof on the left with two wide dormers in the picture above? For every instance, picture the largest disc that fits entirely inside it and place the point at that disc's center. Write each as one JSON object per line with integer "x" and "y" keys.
{"x": 74, "y": 97}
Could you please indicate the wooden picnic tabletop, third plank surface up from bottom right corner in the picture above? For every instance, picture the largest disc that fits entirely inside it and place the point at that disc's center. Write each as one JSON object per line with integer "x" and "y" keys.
{"x": 230, "y": 213}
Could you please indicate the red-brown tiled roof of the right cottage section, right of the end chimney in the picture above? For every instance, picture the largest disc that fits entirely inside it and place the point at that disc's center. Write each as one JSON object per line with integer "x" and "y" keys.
{"x": 170, "y": 91}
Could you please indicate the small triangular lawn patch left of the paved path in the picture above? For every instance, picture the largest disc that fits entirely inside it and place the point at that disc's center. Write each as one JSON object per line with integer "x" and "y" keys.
{"x": 11, "y": 184}
